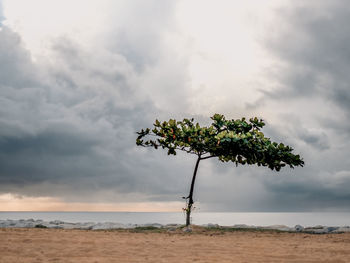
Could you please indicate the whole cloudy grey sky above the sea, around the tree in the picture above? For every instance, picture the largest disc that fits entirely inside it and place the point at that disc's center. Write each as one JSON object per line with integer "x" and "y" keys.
{"x": 79, "y": 78}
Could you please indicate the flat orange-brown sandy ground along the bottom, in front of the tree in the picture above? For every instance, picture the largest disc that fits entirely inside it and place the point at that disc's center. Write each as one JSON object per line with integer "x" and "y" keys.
{"x": 54, "y": 245}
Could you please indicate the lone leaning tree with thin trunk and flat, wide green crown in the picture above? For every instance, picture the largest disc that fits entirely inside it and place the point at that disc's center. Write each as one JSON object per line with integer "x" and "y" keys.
{"x": 238, "y": 141}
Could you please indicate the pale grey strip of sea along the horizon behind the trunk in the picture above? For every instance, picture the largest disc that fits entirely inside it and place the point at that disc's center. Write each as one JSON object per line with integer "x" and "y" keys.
{"x": 199, "y": 218}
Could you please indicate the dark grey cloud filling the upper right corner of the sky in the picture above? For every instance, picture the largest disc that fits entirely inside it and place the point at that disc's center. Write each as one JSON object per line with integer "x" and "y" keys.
{"x": 313, "y": 44}
